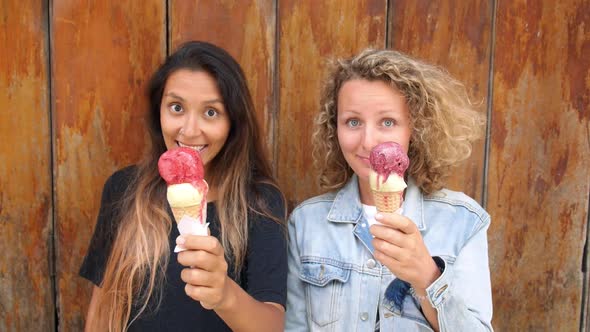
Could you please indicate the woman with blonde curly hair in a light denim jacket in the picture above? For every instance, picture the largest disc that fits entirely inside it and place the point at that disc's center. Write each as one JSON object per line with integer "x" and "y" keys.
{"x": 422, "y": 268}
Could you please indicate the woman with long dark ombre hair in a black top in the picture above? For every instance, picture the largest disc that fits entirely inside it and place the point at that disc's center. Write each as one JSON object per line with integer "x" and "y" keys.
{"x": 198, "y": 99}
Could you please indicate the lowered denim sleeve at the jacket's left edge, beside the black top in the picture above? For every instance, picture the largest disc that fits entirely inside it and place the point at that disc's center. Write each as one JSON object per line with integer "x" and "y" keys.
{"x": 296, "y": 310}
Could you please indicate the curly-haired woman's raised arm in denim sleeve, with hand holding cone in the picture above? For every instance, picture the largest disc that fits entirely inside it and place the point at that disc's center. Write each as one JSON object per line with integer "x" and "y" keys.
{"x": 460, "y": 298}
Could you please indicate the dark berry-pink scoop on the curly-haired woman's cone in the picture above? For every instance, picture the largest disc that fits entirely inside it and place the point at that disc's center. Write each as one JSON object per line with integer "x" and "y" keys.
{"x": 387, "y": 158}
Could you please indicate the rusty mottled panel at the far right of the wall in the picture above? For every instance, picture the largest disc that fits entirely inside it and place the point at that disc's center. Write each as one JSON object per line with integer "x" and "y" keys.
{"x": 538, "y": 168}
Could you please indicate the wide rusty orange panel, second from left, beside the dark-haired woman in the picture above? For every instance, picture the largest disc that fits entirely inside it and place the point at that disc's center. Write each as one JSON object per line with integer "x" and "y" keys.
{"x": 103, "y": 53}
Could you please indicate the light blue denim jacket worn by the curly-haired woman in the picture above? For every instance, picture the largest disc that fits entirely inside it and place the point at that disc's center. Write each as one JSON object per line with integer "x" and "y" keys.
{"x": 336, "y": 284}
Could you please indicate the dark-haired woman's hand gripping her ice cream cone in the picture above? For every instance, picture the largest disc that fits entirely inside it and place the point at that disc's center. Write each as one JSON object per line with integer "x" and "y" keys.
{"x": 206, "y": 273}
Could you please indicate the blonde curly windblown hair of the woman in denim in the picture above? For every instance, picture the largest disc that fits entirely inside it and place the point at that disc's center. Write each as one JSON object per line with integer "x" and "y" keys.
{"x": 443, "y": 120}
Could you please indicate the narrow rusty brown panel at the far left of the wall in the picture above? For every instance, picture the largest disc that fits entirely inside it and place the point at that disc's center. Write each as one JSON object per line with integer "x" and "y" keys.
{"x": 25, "y": 169}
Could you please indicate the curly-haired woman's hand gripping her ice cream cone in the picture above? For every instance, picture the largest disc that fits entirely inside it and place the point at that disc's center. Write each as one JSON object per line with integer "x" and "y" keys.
{"x": 399, "y": 246}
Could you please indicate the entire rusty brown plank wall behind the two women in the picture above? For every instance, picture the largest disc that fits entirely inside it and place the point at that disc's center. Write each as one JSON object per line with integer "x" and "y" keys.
{"x": 72, "y": 80}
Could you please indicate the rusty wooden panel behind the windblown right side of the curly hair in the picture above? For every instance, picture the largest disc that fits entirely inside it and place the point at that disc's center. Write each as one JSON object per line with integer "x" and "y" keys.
{"x": 456, "y": 36}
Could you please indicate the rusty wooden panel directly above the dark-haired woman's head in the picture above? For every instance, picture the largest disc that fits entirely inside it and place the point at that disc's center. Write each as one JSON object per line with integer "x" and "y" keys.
{"x": 246, "y": 29}
